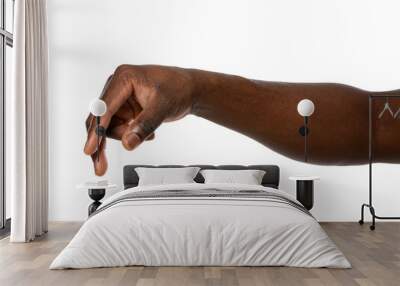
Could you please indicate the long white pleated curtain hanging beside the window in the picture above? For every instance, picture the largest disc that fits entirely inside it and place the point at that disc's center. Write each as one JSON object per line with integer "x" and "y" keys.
{"x": 28, "y": 158}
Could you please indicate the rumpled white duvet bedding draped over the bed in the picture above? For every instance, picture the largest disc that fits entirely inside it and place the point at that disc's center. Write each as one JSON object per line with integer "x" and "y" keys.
{"x": 200, "y": 231}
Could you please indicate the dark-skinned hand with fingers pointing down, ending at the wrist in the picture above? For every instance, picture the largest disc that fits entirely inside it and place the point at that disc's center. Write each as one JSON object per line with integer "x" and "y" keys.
{"x": 138, "y": 99}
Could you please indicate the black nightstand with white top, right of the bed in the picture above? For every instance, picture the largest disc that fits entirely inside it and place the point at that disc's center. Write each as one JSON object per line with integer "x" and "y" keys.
{"x": 305, "y": 190}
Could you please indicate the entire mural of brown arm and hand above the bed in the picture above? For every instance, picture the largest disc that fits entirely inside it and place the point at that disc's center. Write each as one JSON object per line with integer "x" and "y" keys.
{"x": 140, "y": 98}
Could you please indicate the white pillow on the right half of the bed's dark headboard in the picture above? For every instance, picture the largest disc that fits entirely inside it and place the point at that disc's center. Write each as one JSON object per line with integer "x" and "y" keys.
{"x": 248, "y": 177}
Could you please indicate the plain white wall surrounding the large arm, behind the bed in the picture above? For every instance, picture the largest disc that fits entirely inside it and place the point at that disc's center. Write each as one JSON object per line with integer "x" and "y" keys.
{"x": 353, "y": 42}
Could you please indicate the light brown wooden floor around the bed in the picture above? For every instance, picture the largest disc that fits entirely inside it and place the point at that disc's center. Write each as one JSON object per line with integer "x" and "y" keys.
{"x": 375, "y": 257}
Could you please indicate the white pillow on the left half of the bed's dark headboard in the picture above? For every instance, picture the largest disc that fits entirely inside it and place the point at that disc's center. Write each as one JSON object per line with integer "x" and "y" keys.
{"x": 162, "y": 176}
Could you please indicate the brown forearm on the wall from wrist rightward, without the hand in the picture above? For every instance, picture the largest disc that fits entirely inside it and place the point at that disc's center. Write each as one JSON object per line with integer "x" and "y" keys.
{"x": 267, "y": 112}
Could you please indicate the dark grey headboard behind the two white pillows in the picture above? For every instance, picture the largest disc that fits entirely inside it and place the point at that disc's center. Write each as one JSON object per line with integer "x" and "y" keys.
{"x": 271, "y": 177}
